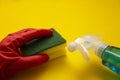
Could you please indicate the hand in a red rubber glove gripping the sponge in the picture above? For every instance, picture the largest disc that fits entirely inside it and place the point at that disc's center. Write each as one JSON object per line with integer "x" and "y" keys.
{"x": 11, "y": 62}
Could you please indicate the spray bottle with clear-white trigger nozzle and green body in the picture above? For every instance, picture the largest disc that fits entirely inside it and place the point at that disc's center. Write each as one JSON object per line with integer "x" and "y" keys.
{"x": 110, "y": 55}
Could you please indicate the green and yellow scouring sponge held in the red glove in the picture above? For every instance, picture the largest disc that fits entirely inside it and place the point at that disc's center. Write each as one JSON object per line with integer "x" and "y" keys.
{"x": 44, "y": 45}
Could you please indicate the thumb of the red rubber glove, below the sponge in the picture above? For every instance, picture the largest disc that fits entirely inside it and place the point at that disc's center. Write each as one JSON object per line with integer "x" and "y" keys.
{"x": 25, "y": 63}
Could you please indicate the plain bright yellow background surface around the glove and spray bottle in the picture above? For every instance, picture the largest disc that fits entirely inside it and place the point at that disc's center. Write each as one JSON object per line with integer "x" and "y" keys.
{"x": 72, "y": 18}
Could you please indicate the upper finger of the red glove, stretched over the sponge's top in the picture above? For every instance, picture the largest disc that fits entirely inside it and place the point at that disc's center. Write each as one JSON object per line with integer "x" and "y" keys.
{"x": 17, "y": 39}
